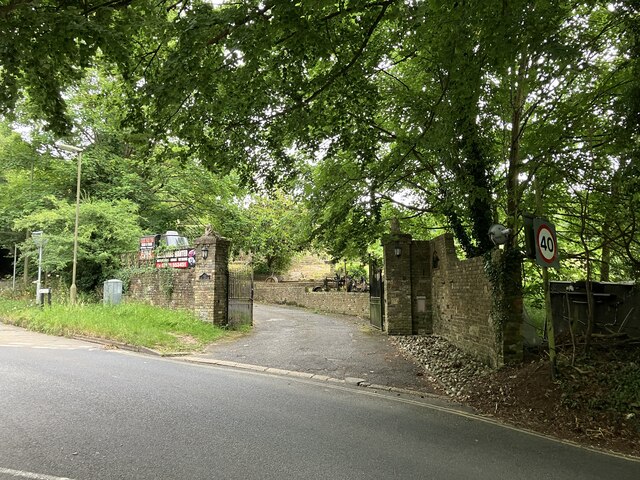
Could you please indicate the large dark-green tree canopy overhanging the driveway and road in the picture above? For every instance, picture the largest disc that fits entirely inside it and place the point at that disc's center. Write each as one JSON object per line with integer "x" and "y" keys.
{"x": 447, "y": 108}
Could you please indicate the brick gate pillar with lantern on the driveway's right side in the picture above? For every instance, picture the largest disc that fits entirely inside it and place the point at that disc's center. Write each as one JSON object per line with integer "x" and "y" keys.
{"x": 397, "y": 283}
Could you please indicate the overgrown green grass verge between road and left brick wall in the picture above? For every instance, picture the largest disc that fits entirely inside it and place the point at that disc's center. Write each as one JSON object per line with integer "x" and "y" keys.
{"x": 131, "y": 323}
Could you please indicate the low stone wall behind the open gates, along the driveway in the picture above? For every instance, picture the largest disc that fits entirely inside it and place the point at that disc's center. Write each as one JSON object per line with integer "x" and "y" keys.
{"x": 298, "y": 294}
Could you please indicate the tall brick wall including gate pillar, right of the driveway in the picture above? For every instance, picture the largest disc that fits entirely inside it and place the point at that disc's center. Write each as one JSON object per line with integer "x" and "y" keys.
{"x": 429, "y": 290}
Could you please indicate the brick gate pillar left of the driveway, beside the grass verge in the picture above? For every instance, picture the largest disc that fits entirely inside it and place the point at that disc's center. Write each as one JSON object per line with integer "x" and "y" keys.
{"x": 211, "y": 278}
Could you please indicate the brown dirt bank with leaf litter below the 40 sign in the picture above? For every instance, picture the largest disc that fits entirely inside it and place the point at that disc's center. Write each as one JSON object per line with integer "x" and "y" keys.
{"x": 595, "y": 402}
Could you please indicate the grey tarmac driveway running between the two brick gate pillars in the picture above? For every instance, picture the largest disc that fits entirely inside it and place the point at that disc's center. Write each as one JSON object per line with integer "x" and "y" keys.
{"x": 336, "y": 346}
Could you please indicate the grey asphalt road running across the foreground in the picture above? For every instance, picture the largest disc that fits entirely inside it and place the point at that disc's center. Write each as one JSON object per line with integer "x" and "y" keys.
{"x": 70, "y": 410}
